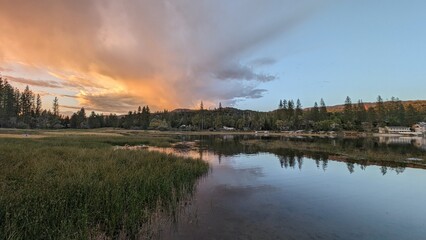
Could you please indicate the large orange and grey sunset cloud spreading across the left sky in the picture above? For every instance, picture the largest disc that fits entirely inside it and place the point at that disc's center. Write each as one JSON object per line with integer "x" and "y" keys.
{"x": 118, "y": 55}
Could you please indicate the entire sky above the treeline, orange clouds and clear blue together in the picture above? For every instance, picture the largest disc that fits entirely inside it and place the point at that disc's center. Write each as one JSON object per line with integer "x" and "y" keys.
{"x": 113, "y": 56}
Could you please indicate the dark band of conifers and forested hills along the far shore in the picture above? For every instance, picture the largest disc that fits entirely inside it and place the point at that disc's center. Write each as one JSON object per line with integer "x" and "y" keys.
{"x": 23, "y": 109}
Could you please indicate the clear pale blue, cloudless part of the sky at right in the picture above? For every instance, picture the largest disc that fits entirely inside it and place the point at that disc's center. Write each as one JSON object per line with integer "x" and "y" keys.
{"x": 356, "y": 48}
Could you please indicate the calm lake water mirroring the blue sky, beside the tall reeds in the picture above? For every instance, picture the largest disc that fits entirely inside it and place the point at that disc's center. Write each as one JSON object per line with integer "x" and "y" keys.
{"x": 252, "y": 194}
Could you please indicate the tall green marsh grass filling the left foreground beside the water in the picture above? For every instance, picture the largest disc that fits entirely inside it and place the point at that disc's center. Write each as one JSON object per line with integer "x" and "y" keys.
{"x": 79, "y": 188}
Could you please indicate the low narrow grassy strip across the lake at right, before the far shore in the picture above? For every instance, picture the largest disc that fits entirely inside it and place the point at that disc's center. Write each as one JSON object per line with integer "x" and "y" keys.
{"x": 360, "y": 154}
